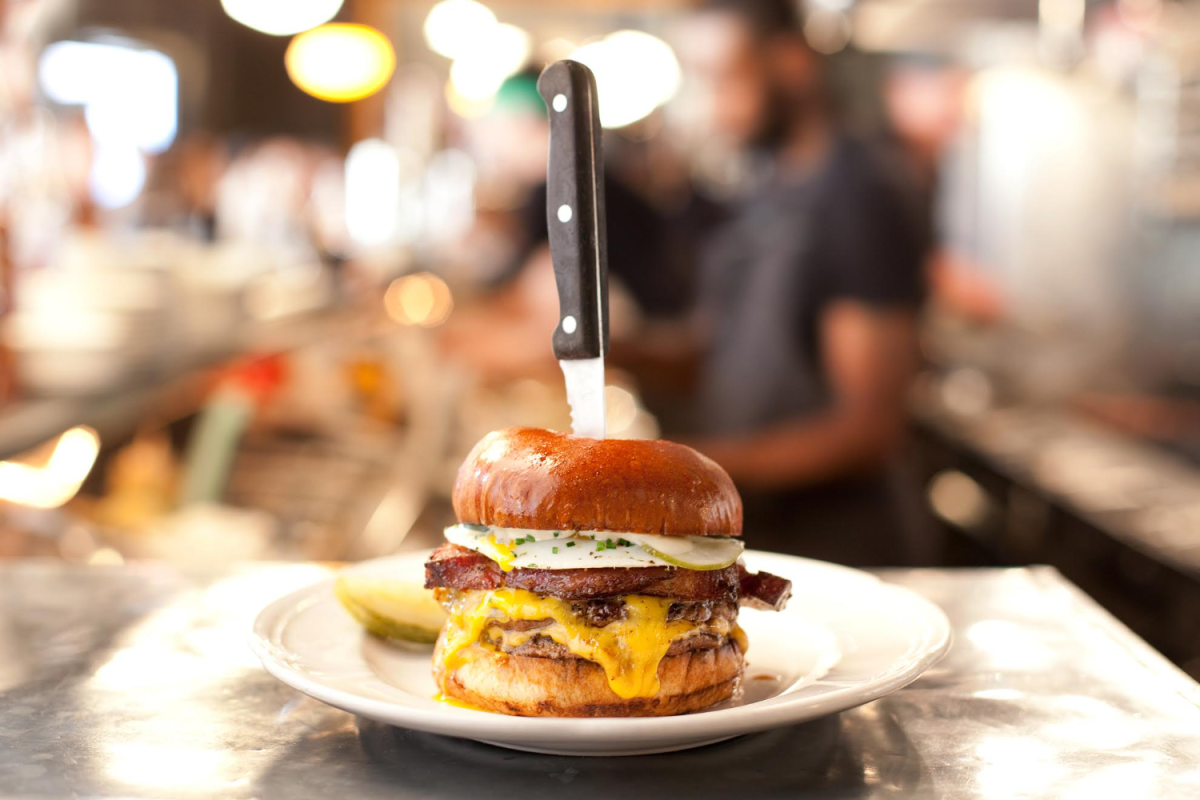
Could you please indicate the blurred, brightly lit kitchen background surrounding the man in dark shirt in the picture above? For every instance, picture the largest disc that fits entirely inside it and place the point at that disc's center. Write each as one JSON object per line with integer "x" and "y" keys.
{"x": 268, "y": 268}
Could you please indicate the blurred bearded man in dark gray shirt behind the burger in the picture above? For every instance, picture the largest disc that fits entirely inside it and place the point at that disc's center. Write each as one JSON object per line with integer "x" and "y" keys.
{"x": 808, "y": 303}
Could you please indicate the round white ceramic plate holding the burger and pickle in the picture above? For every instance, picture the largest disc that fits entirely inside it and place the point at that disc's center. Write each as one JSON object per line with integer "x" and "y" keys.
{"x": 845, "y": 639}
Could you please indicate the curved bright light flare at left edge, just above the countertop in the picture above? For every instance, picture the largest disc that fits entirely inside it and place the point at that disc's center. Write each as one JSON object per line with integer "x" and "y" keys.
{"x": 51, "y": 486}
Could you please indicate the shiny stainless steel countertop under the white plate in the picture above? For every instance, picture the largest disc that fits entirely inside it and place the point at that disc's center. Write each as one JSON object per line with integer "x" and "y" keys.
{"x": 136, "y": 682}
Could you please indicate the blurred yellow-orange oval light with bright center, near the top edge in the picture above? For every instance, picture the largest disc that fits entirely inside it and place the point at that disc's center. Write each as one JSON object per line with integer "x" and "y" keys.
{"x": 341, "y": 63}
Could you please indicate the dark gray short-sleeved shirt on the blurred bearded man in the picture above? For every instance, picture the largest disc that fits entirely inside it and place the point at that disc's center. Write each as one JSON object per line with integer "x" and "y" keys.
{"x": 847, "y": 231}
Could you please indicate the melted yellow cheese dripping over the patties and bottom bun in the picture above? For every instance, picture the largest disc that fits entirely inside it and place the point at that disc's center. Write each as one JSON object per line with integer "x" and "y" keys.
{"x": 629, "y": 649}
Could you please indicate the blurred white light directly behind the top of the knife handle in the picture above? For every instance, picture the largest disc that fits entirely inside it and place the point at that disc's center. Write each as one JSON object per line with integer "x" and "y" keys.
{"x": 635, "y": 75}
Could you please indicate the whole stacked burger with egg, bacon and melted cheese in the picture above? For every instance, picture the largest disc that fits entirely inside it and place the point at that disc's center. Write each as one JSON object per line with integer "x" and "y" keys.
{"x": 593, "y": 578}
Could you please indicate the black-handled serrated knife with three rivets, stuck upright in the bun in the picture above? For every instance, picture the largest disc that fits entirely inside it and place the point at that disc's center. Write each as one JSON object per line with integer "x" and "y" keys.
{"x": 575, "y": 213}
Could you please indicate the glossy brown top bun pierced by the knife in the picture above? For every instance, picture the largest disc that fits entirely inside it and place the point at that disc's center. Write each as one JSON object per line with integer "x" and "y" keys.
{"x": 542, "y": 480}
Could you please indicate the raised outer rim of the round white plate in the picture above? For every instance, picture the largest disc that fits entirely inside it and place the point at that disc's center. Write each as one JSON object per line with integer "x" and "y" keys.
{"x": 781, "y": 711}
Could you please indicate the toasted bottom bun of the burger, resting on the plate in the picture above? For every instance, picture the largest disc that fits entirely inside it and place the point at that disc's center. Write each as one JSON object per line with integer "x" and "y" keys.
{"x": 575, "y": 688}
